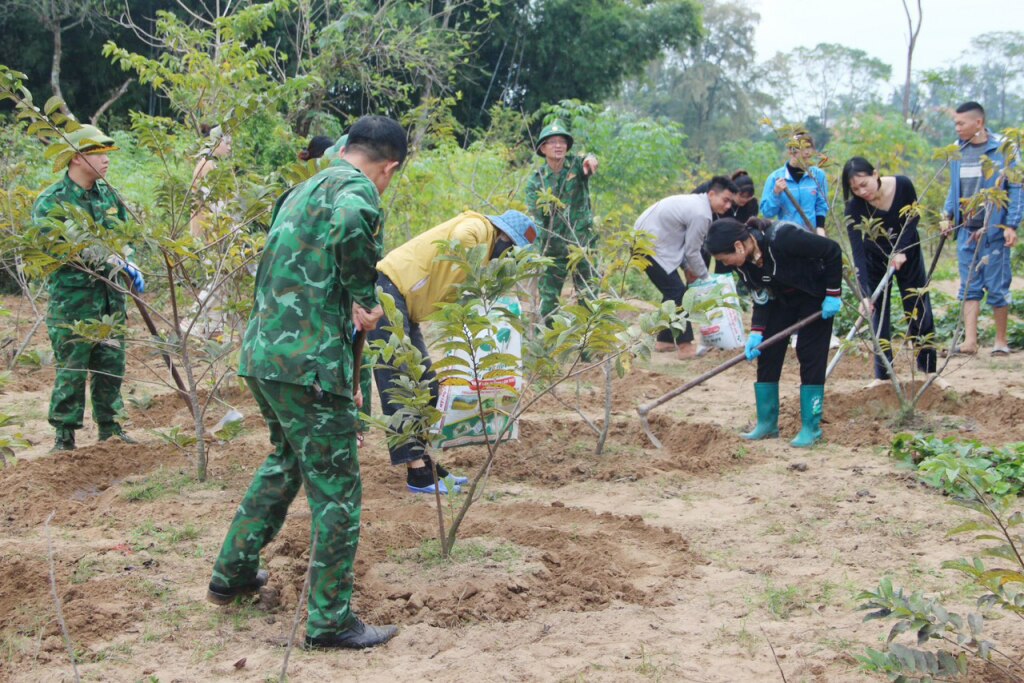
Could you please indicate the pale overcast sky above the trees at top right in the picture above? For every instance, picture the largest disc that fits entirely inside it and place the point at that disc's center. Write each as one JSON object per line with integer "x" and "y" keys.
{"x": 879, "y": 27}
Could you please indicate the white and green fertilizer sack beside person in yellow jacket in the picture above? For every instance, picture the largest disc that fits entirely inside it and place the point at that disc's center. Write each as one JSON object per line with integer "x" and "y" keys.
{"x": 461, "y": 401}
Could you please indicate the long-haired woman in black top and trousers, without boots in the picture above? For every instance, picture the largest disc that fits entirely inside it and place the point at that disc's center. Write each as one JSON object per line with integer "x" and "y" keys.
{"x": 883, "y": 229}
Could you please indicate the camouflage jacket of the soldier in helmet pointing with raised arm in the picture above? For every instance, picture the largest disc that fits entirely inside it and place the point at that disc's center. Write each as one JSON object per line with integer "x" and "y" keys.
{"x": 571, "y": 222}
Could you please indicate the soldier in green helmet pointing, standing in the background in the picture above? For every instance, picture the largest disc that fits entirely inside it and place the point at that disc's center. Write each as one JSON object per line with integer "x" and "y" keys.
{"x": 567, "y": 221}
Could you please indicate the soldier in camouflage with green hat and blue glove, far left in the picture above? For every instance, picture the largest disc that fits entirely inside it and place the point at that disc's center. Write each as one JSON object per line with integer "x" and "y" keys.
{"x": 76, "y": 294}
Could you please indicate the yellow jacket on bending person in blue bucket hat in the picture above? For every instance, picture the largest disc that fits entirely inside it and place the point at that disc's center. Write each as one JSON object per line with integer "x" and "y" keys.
{"x": 424, "y": 280}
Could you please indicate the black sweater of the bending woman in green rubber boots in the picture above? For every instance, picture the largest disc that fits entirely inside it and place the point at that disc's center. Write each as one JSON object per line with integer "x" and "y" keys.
{"x": 794, "y": 261}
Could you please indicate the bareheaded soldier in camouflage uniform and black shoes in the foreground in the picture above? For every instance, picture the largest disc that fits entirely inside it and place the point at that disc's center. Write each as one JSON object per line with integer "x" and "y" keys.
{"x": 314, "y": 288}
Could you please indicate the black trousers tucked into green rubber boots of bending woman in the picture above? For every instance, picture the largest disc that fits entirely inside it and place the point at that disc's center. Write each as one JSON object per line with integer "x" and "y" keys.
{"x": 813, "y": 341}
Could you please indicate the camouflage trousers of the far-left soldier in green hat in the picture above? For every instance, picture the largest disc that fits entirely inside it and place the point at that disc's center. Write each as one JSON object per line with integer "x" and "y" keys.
{"x": 76, "y": 360}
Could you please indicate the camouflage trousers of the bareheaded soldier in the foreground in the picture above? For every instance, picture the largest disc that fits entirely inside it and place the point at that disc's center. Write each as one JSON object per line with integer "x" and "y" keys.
{"x": 314, "y": 436}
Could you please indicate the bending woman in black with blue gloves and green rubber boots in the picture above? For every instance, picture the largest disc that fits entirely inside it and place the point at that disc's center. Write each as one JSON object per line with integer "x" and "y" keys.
{"x": 791, "y": 274}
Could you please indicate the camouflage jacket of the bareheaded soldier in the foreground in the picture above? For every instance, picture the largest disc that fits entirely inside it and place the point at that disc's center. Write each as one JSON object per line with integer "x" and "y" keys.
{"x": 321, "y": 257}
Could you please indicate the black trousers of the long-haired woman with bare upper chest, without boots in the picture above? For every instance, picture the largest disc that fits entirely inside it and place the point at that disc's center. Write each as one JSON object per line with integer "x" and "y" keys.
{"x": 917, "y": 309}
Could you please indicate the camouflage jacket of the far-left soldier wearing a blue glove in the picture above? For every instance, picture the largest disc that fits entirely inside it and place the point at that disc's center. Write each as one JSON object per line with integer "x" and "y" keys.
{"x": 76, "y": 295}
